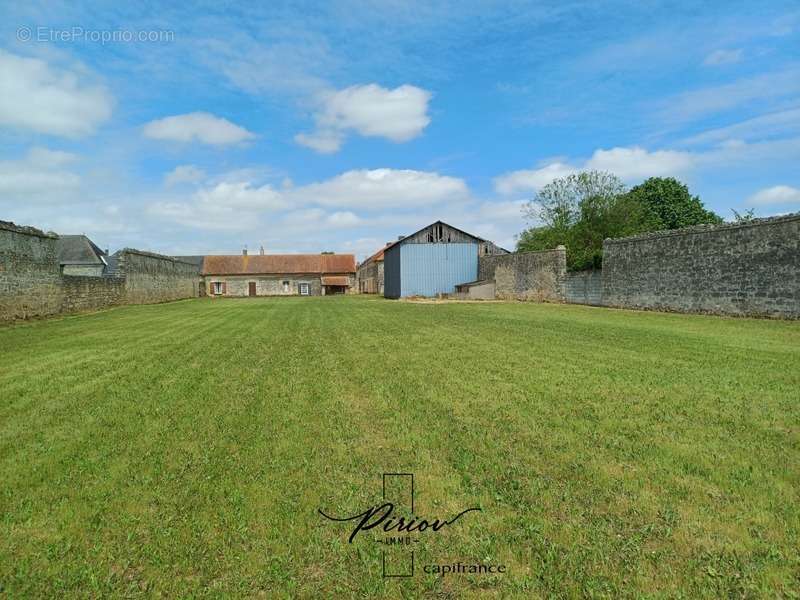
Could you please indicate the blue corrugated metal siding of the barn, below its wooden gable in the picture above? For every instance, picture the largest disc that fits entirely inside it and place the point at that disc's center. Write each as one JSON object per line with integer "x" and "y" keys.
{"x": 431, "y": 269}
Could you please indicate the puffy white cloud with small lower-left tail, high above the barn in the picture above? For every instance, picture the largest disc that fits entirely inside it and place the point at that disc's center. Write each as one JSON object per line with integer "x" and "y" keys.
{"x": 370, "y": 110}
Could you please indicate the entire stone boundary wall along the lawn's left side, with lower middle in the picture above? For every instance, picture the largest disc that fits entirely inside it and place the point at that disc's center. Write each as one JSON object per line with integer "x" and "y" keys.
{"x": 32, "y": 285}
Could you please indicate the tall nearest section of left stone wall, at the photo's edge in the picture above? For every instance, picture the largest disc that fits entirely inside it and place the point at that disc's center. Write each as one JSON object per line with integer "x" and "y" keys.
{"x": 30, "y": 282}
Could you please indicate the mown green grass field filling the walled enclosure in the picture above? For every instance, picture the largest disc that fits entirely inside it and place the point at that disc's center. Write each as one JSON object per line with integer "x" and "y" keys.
{"x": 183, "y": 449}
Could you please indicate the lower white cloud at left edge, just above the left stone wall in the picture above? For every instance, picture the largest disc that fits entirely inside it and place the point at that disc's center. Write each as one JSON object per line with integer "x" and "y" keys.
{"x": 39, "y": 176}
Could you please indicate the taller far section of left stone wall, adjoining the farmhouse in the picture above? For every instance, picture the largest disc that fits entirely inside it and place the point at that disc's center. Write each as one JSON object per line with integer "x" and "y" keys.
{"x": 152, "y": 278}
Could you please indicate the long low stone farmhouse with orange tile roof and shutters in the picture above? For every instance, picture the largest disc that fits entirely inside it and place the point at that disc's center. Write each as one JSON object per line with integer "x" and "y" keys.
{"x": 278, "y": 274}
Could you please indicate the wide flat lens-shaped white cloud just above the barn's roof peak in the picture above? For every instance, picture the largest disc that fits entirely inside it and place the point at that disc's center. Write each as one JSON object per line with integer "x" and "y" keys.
{"x": 382, "y": 188}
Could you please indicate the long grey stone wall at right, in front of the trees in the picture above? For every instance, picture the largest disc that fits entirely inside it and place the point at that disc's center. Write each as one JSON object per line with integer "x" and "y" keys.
{"x": 750, "y": 269}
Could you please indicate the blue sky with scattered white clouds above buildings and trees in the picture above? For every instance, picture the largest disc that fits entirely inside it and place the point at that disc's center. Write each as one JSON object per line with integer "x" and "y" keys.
{"x": 310, "y": 126}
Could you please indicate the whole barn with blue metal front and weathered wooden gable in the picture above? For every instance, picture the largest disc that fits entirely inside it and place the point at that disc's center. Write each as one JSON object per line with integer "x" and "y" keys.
{"x": 432, "y": 261}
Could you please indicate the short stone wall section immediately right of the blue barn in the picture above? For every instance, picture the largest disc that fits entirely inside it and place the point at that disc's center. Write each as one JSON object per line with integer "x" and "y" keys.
{"x": 538, "y": 276}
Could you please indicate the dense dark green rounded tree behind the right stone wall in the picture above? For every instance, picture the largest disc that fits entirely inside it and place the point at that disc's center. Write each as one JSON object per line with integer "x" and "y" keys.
{"x": 670, "y": 205}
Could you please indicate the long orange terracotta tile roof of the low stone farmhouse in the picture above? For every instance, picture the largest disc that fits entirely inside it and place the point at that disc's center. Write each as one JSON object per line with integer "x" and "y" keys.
{"x": 267, "y": 264}
